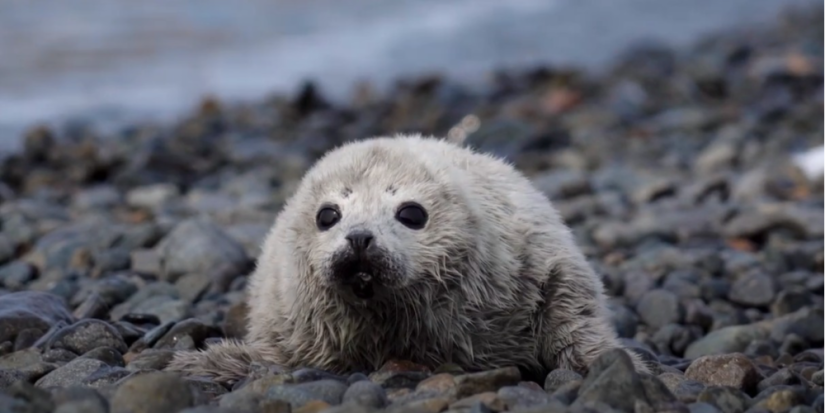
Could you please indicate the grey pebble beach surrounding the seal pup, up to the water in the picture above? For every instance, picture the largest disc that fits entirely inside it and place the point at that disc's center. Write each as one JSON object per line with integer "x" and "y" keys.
{"x": 680, "y": 171}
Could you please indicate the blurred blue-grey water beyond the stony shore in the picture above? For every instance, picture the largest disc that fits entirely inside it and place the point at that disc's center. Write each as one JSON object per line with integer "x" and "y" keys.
{"x": 116, "y": 61}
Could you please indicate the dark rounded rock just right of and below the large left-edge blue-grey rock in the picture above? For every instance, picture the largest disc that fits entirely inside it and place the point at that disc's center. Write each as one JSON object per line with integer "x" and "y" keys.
{"x": 86, "y": 335}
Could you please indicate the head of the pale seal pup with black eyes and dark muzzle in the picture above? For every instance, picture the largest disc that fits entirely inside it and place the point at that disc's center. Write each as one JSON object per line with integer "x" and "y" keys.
{"x": 377, "y": 217}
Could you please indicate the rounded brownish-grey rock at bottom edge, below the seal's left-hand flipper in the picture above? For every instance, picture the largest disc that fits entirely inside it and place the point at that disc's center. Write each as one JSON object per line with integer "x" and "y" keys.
{"x": 157, "y": 392}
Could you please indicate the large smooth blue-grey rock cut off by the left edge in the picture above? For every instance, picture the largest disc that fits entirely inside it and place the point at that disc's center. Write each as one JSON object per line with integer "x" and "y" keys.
{"x": 30, "y": 310}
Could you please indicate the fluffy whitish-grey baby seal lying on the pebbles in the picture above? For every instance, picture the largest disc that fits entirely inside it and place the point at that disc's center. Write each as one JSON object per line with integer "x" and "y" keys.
{"x": 420, "y": 249}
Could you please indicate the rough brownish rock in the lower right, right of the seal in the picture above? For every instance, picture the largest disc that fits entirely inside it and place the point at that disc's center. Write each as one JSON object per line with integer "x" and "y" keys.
{"x": 735, "y": 370}
